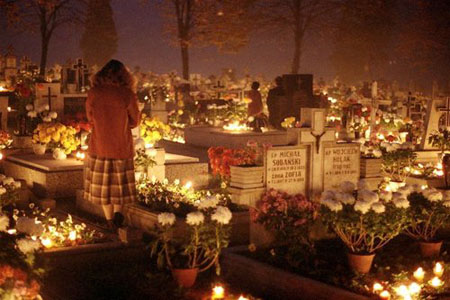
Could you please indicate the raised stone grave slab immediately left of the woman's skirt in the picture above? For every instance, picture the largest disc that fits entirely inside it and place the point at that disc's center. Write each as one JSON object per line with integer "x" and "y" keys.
{"x": 45, "y": 176}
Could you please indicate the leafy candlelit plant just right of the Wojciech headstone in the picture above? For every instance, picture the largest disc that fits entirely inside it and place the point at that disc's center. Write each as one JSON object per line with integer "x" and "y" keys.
{"x": 398, "y": 160}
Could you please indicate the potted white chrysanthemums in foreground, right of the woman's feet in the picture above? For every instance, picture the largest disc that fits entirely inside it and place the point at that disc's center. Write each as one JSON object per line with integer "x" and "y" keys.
{"x": 199, "y": 250}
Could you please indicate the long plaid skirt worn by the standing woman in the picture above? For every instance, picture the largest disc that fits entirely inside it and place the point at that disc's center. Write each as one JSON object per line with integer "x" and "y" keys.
{"x": 109, "y": 181}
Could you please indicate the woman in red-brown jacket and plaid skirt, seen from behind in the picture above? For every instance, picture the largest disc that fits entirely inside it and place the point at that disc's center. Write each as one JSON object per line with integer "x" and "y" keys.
{"x": 112, "y": 110}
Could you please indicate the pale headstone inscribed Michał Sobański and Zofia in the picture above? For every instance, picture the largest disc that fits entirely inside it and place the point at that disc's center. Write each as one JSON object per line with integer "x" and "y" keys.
{"x": 287, "y": 169}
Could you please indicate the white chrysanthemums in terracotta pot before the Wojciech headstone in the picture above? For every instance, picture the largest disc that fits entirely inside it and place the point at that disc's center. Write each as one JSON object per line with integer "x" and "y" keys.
{"x": 365, "y": 221}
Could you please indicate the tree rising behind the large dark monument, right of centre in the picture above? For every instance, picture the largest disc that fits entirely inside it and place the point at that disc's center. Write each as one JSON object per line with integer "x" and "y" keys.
{"x": 298, "y": 18}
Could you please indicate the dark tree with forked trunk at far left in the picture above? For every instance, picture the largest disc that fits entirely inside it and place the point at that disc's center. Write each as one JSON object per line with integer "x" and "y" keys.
{"x": 44, "y": 16}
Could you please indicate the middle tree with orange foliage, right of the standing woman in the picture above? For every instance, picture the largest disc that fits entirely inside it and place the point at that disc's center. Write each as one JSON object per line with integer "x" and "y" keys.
{"x": 206, "y": 22}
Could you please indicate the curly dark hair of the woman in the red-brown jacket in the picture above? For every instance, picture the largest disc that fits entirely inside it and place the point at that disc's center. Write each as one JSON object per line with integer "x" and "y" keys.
{"x": 116, "y": 74}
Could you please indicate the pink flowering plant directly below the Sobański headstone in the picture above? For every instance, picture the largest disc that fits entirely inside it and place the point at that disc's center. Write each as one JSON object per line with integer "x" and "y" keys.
{"x": 287, "y": 220}
